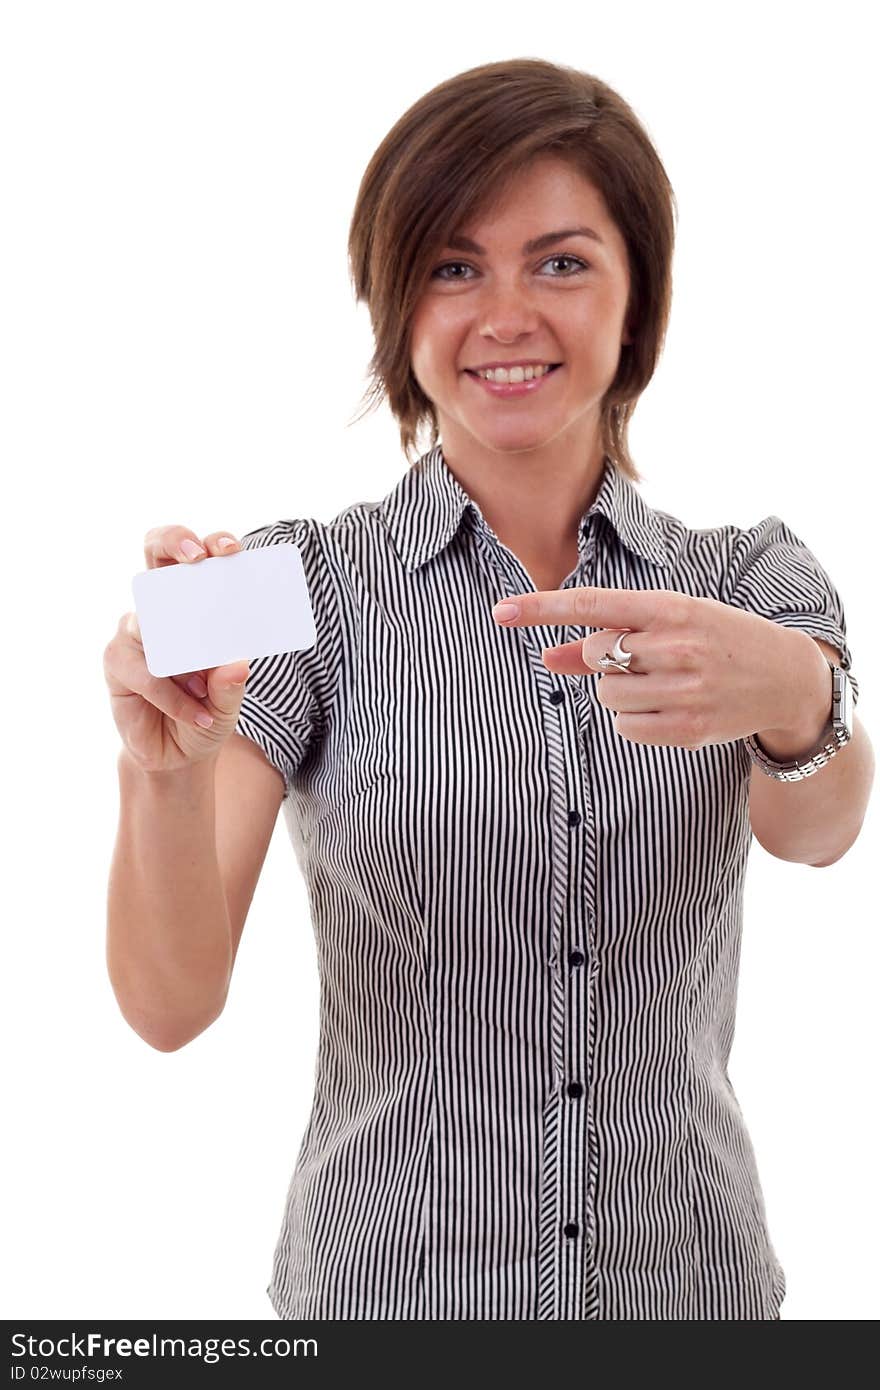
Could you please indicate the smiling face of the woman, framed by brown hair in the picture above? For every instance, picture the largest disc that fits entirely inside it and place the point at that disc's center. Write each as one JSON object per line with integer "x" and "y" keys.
{"x": 562, "y": 302}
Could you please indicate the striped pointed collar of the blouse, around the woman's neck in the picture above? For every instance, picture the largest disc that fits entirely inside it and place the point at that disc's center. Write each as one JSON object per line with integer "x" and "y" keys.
{"x": 426, "y": 509}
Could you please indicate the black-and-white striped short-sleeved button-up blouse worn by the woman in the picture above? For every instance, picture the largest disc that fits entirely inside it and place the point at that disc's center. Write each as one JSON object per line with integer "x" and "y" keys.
{"x": 528, "y": 929}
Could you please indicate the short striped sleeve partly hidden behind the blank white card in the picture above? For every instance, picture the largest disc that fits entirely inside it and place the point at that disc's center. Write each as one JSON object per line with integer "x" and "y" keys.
{"x": 283, "y": 705}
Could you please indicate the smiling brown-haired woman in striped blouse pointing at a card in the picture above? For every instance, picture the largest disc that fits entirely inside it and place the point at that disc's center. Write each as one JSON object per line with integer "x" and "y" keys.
{"x": 526, "y": 881}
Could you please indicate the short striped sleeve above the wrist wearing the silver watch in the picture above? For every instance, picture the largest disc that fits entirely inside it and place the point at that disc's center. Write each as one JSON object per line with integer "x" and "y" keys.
{"x": 774, "y": 573}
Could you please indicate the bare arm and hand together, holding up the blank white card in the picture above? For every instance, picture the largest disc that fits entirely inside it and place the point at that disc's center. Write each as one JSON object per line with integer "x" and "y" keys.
{"x": 198, "y": 804}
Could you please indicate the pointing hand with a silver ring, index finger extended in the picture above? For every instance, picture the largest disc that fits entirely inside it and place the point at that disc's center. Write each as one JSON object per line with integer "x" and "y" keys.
{"x": 703, "y": 672}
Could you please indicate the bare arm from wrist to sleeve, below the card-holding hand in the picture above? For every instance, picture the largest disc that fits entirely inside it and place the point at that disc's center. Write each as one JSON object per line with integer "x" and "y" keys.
{"x": 188, "y": 858}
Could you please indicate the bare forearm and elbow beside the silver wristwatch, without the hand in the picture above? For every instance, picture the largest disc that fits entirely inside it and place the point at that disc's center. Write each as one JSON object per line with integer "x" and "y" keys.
{"x": 814, "y": 821}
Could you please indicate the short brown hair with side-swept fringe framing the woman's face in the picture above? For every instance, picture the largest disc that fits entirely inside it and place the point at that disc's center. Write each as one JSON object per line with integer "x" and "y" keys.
{"x": 450, "y": 156}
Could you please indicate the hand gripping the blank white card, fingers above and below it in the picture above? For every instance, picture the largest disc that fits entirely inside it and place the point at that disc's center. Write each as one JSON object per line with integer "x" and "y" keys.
{"x": 156, "y": 714}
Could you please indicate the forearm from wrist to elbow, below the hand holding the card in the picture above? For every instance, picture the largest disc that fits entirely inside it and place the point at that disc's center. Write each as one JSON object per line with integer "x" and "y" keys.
{"x": 169, "y": 935}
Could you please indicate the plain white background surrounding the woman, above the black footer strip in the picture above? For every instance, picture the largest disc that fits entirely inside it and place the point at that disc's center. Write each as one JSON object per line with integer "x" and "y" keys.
{"x": 180, "y": 344}
